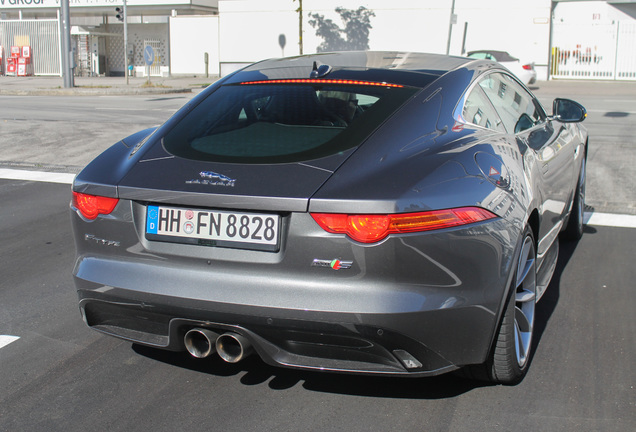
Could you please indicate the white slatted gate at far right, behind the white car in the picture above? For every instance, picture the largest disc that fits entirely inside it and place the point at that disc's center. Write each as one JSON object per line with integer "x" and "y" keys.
{"x": 596, "y": 51}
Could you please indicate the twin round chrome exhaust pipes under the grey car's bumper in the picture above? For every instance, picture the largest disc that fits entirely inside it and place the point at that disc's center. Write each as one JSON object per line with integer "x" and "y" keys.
{"x": 231, "y": 347}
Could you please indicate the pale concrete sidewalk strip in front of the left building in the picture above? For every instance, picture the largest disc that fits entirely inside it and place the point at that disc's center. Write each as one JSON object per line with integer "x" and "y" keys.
{"x": 90, "y": 86}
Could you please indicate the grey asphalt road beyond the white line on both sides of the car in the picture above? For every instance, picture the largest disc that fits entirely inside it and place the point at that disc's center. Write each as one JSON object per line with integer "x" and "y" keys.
{"x": 66, "y": 132}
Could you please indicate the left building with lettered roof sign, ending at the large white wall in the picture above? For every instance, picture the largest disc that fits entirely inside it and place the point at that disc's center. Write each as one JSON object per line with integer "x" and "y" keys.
{"x": 97, "y": 34}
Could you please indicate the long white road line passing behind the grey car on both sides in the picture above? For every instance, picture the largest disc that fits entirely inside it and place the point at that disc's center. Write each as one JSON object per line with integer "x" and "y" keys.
{"x": 591, "y": 218}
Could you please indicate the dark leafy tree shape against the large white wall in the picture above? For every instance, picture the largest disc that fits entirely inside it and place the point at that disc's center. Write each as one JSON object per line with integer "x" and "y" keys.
{"x": 356, "y": 31}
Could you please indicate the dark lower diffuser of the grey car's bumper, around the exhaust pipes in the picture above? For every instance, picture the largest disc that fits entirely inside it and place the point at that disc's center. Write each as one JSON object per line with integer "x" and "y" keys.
{"x": 314, "y": 343}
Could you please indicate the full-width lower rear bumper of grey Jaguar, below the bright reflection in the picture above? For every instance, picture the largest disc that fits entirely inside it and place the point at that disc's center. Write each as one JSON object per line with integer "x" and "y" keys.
{"x": 440, "y": 339}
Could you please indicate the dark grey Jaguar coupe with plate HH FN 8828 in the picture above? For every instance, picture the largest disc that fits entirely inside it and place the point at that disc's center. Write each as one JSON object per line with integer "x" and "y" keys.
{"x": 362, "y": 212}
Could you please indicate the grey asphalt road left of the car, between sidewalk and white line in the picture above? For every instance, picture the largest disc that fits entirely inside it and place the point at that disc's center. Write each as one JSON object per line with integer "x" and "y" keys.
{"x": 69, "y": 131}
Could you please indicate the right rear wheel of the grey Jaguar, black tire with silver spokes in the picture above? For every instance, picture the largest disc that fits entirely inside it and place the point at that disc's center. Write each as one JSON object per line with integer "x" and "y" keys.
{"x": 510, "y": 356}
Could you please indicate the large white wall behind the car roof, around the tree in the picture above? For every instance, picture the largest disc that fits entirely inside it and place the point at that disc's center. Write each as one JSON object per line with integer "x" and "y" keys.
{"x": 250, "y": 29}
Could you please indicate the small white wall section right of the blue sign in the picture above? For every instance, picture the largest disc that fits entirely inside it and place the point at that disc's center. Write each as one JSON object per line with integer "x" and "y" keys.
{"x": 190, "y": 38}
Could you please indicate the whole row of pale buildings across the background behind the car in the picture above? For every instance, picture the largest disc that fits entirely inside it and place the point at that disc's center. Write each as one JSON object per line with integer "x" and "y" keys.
{"x": 565, "y": 39}
